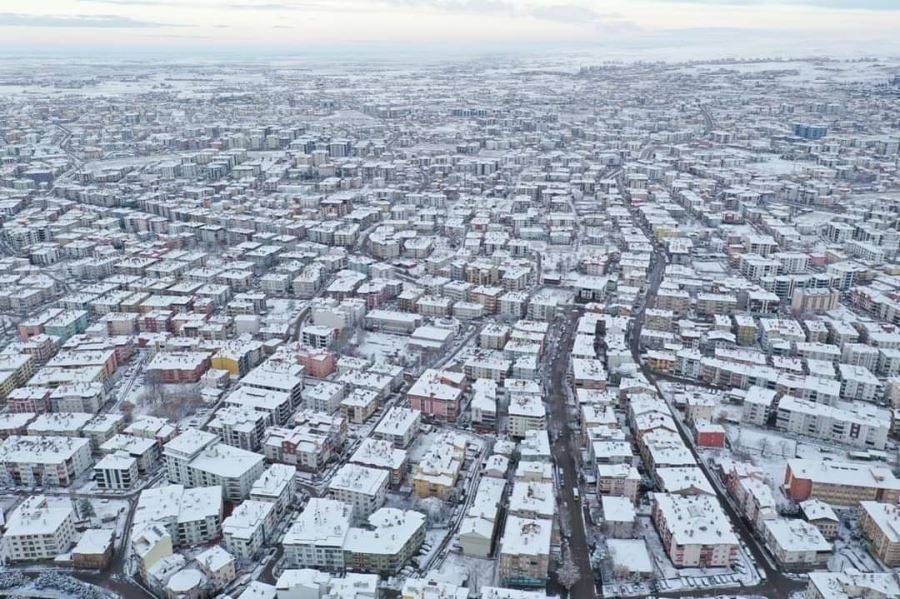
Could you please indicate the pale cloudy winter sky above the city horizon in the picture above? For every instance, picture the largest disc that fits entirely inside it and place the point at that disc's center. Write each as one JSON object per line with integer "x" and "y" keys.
{"x": 618, "y": 28}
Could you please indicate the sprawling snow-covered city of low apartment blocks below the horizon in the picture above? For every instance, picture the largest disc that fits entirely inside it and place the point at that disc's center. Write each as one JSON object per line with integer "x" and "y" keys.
{"x": 450, "y": 330}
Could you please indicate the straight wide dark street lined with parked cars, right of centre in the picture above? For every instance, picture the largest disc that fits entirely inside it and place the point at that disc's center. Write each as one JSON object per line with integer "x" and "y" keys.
{"x": 566, "y": 451}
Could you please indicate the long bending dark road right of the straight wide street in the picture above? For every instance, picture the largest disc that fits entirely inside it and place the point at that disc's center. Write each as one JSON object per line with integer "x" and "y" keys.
{"x": 776, "y": 584}
